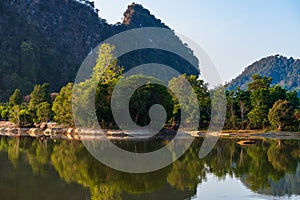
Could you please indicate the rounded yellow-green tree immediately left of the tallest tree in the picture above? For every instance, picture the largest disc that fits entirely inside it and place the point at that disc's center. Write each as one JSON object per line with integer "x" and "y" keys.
{"x": 62, "y": 106}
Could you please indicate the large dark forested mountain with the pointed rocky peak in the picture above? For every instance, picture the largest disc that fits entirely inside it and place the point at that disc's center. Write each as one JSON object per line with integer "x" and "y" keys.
{"x": 46, "y": 41}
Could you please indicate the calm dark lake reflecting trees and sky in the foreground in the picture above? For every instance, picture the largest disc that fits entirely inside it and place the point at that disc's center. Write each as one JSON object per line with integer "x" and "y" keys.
{"x": 61, "y": 169}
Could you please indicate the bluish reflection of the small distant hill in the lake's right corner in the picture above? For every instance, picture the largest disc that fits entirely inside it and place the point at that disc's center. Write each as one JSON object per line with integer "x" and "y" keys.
{"x": 288, "y": 185}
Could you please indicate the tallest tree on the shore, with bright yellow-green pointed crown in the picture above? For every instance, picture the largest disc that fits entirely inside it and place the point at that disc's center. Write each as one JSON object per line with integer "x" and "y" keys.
{"x": 105, "y": 75}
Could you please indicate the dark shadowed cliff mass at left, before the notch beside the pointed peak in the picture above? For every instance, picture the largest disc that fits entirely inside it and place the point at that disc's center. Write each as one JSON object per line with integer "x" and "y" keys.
{"x": 45, "y": 41}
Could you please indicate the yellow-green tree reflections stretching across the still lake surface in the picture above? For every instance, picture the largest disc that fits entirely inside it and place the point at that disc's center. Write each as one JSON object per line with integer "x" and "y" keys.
{"x": 265, "y": 167}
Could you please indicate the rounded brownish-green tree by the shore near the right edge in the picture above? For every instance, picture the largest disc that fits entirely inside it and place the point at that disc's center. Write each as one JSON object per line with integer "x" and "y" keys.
{"x": 281, "y": 114}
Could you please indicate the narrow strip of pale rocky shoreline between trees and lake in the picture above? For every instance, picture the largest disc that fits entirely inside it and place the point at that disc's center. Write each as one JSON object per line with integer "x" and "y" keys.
{"x": 72, "y": 133}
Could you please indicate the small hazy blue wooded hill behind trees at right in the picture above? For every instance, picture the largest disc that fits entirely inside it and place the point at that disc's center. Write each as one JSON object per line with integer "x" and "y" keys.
{"x": 284, "y": 71}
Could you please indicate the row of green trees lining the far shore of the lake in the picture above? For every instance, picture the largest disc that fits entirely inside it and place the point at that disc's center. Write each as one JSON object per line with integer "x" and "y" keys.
{"x": 260, "y": 107}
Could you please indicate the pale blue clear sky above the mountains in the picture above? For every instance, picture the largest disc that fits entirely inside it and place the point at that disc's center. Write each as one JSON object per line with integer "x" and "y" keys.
{"x": 233, "y": 33}
